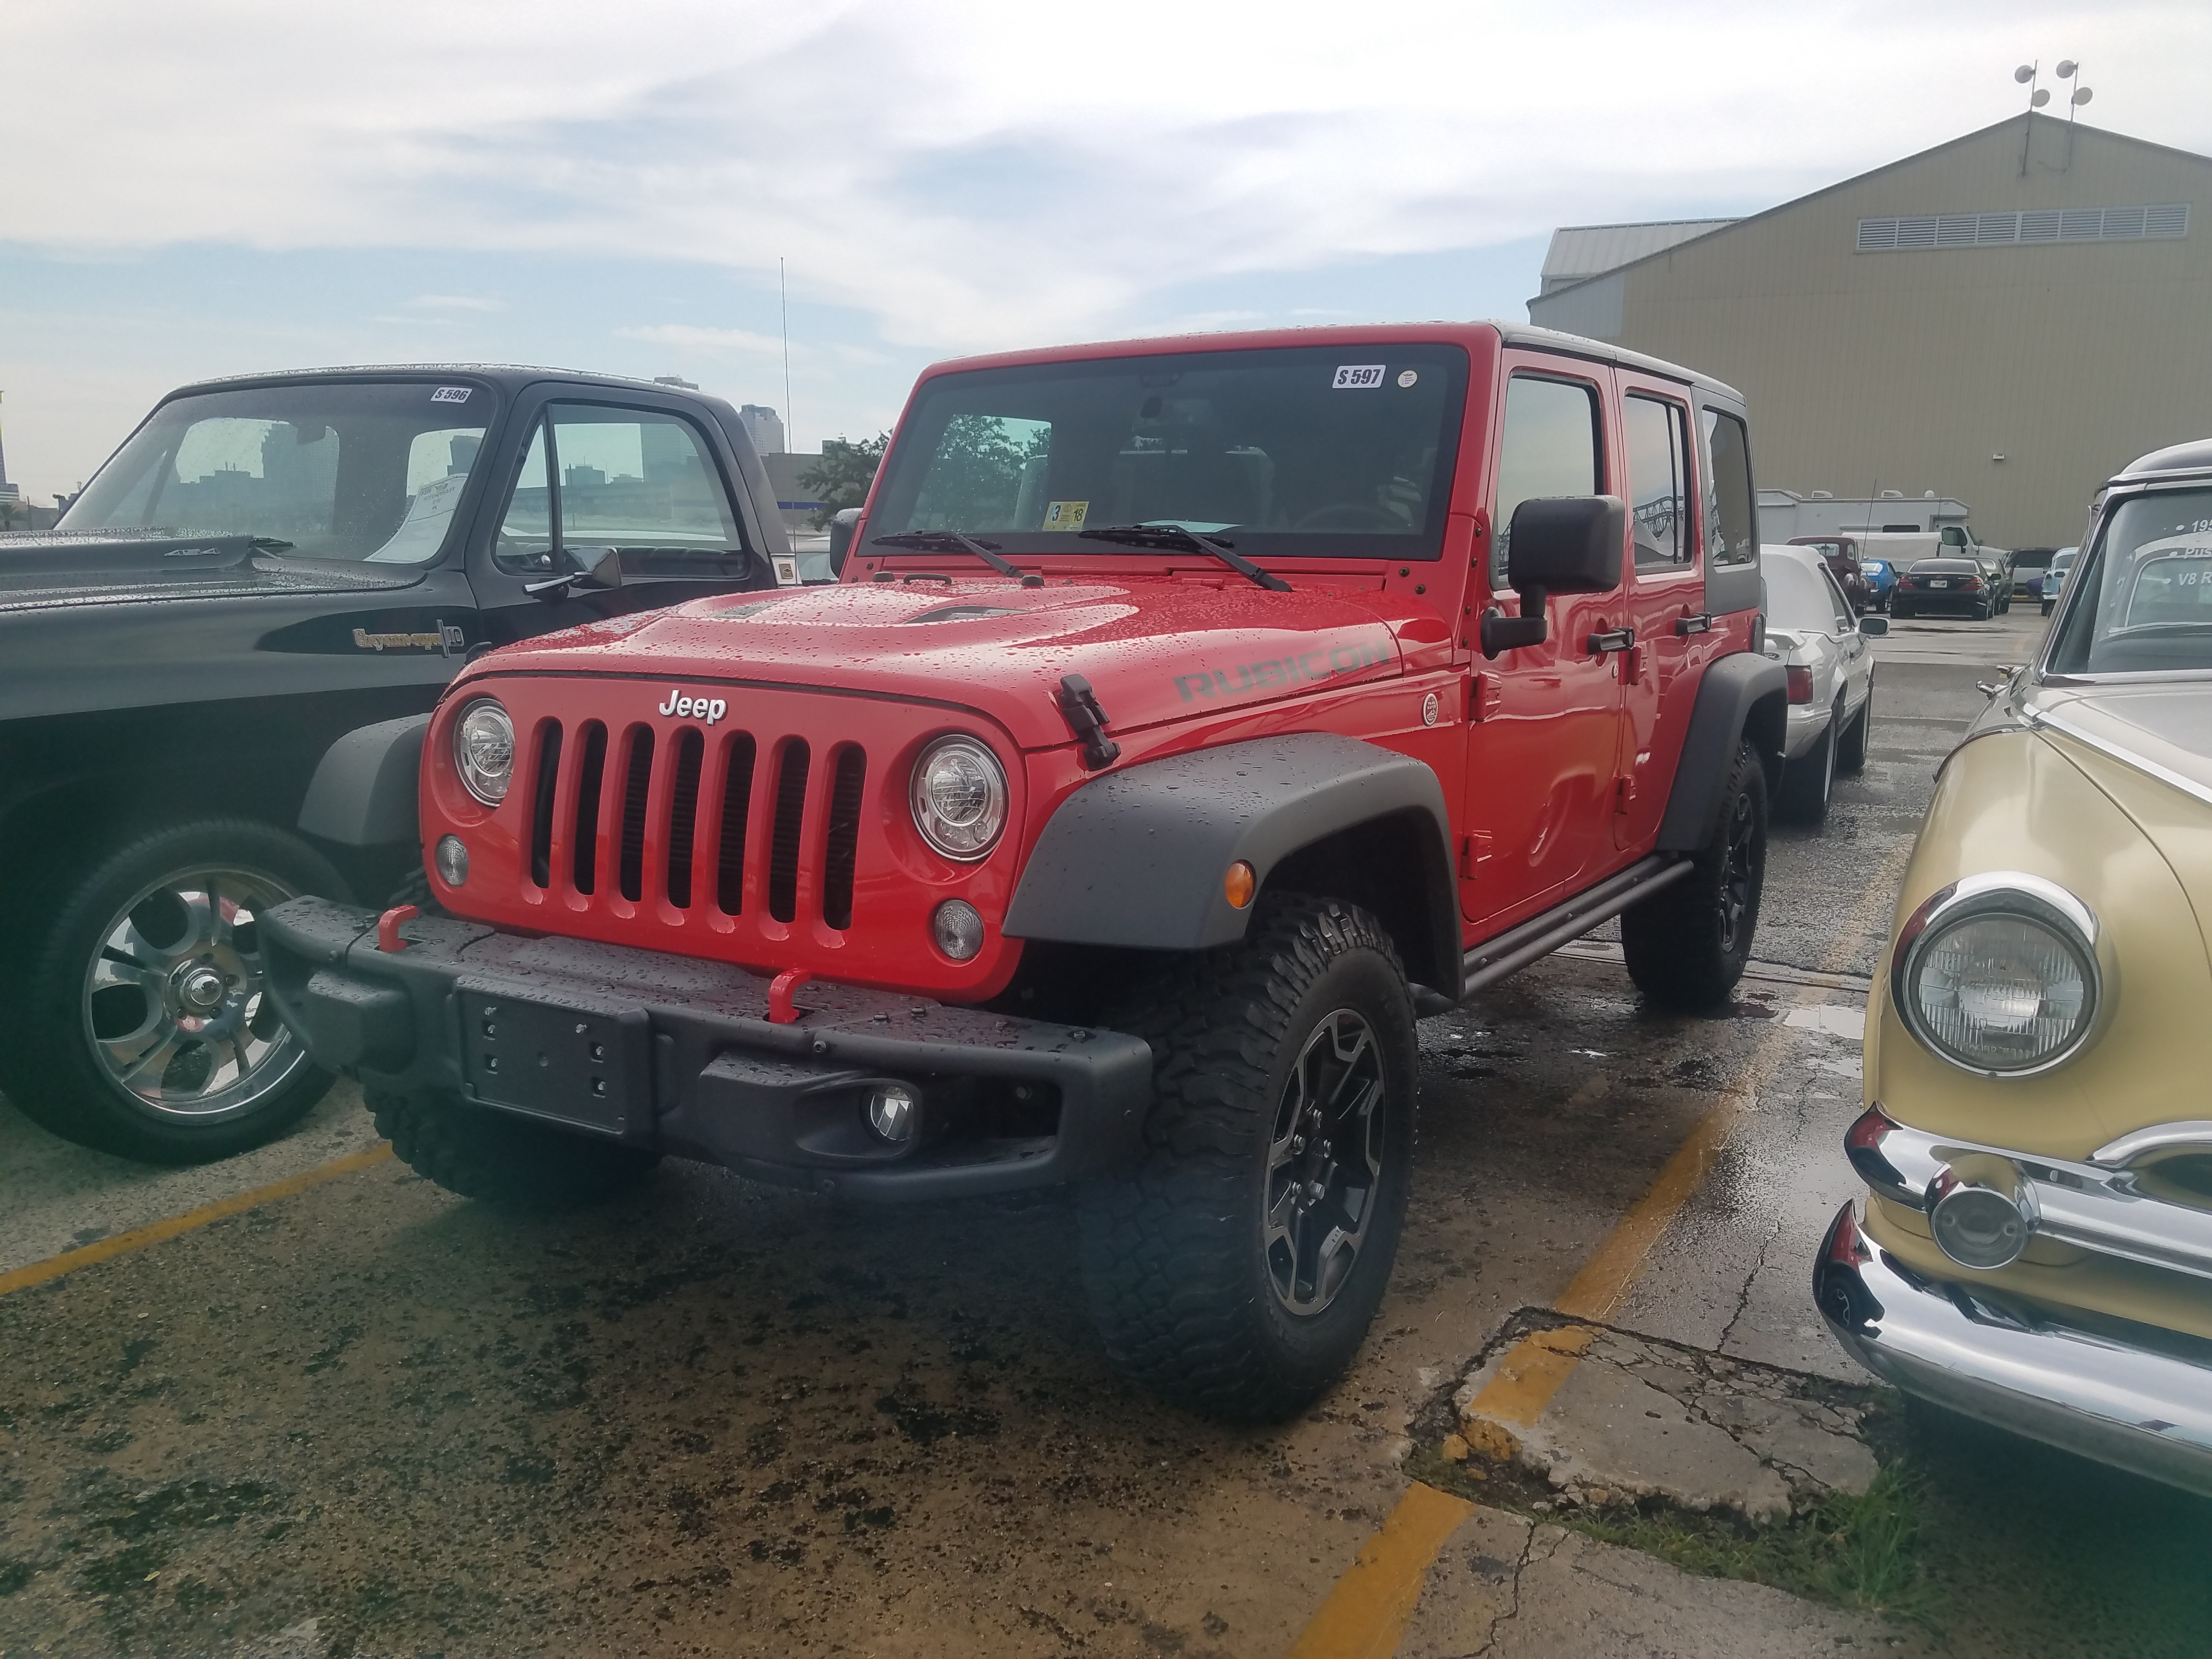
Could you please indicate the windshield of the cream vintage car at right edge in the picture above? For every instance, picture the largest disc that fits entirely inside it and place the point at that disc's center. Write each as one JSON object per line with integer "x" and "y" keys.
{"x": 2147, "y": 592}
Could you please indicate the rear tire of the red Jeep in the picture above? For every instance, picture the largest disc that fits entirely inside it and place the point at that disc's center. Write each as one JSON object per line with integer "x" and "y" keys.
{"x": 1689, "y": 943}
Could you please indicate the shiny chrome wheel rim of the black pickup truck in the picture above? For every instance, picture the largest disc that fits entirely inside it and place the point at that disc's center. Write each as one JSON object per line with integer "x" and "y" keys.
{"x": 176, "y": 1010}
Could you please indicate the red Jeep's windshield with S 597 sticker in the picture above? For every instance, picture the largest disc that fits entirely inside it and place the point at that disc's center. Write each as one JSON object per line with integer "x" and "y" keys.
{"x": 1339, "y": 450}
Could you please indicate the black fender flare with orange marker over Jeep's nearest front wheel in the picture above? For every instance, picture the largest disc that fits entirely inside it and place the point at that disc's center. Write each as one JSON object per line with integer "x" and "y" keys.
{"x": 1136, "y": 857}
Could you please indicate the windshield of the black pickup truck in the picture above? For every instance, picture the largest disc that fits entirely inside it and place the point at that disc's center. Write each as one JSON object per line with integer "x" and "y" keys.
{"x": 340, "y": 470}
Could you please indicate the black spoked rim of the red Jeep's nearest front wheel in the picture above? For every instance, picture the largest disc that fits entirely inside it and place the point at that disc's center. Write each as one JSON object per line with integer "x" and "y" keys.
{"x": 1324, "y": 1162}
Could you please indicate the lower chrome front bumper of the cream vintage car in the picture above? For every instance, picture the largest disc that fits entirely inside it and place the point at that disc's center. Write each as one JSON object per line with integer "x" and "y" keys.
{"x": 2127, "y": 1397}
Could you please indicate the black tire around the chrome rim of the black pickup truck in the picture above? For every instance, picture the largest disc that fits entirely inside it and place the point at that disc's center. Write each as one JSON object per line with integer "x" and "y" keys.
{"x": 52, "y": 1070}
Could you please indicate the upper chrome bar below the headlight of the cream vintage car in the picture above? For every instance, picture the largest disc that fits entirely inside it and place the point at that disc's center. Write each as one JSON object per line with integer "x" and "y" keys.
{"x": 2091, "y": 1207}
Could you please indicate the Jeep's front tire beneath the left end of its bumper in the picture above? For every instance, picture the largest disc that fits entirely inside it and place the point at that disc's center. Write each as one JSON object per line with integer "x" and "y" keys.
{"x": 505, "y": 1160}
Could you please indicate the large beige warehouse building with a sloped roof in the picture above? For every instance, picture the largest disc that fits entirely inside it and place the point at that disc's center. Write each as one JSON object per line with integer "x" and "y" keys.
{"x": 2005, "y": 320}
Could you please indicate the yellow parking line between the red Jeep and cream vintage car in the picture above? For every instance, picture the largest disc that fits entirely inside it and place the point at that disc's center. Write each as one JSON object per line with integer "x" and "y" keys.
{"x": 1368, "y": 1609}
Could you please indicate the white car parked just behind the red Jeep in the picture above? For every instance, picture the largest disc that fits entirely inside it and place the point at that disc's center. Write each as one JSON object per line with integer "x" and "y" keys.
{"x": 1824, "y": 647}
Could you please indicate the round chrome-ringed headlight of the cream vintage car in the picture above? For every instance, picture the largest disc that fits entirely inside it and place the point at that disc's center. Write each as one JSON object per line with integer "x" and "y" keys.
{"x": 1999, "y": 974}
